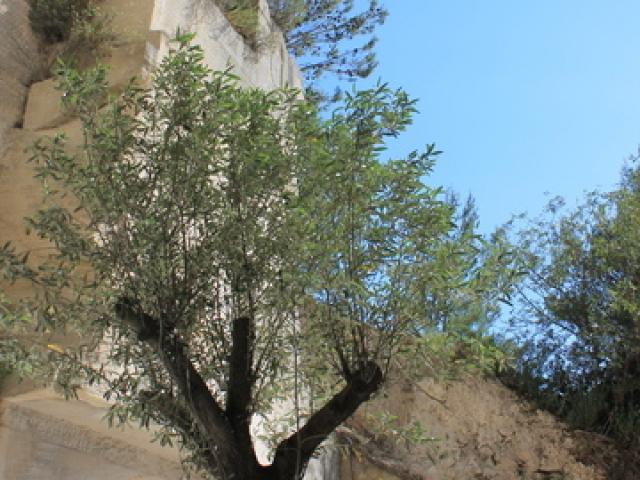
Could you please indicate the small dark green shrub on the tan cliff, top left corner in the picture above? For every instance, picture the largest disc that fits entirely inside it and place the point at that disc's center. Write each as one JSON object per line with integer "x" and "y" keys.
{"x": 53, "y": 19}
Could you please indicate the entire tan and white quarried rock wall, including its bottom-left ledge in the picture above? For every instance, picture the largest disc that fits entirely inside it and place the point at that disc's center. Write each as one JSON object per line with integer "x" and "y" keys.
{"x": 41, "y": 435}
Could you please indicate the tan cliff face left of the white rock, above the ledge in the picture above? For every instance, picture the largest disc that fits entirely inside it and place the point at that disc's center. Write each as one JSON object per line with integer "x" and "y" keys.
{"x": 40, "y": 115}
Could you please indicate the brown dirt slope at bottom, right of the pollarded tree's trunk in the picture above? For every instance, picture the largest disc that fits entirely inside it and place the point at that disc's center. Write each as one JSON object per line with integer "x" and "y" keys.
{"x": 482, "y": 431}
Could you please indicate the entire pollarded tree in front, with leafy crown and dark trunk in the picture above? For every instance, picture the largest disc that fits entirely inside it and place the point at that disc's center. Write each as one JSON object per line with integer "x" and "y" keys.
{"x": 227, "y": 243}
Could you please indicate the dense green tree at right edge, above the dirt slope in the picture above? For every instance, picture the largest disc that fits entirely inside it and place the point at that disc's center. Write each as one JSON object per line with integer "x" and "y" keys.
{"x": 582, "y": 357}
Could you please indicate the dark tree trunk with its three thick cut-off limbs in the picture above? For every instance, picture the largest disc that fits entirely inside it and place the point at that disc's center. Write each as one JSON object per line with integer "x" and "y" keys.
{"x": 231, "y": 455}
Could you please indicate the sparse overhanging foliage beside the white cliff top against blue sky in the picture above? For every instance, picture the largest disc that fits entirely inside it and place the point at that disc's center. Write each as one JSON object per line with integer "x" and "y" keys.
{"x": 322, "y": 35}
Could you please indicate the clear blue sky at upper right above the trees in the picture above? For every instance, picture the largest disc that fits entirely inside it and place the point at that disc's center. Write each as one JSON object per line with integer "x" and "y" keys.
{"x": 526, "y": 98}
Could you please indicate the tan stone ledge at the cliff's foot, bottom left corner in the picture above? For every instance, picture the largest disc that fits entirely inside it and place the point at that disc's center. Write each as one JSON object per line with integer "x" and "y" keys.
{"x": 43, "y": 437}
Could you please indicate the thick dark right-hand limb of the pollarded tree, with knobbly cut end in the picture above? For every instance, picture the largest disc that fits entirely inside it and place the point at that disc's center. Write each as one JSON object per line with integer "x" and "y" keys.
{"x": 294, "y": 452}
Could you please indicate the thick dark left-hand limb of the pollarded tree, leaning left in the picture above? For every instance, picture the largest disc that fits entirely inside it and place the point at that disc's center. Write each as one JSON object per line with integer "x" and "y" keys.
{"x": 204, "y": 409}
